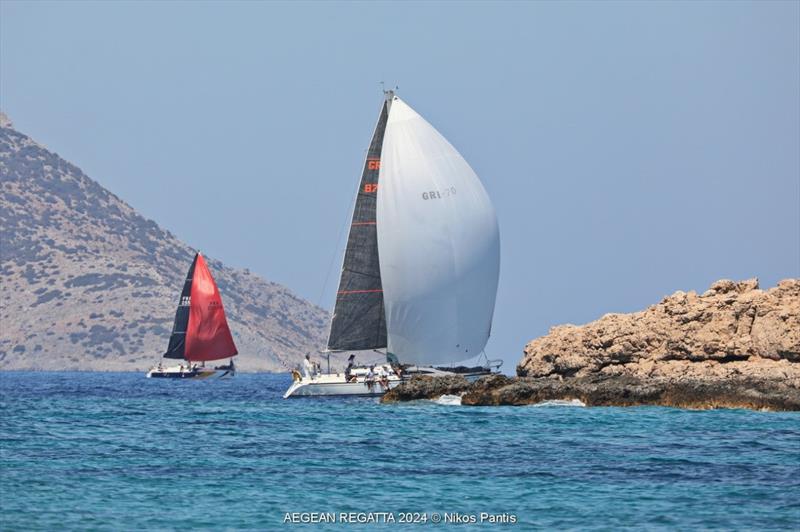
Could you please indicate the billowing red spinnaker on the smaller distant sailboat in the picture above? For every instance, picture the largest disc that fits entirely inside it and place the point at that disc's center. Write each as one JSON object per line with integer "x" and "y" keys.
{"x": 207, "y": 336}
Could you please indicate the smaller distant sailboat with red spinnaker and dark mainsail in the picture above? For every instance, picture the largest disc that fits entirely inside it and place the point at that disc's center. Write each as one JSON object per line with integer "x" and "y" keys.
{"x": 200, "y": 333}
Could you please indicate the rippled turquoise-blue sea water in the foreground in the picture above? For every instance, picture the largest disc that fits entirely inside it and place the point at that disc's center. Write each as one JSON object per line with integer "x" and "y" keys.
{"x": 117, "y": 451}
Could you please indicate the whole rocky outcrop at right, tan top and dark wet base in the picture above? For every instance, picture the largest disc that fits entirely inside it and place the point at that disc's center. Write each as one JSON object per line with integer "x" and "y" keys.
{"x": 735, "y": 346}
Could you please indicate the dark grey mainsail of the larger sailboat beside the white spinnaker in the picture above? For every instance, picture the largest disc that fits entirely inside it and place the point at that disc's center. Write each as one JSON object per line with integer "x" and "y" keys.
{"x": 359, "y": 320}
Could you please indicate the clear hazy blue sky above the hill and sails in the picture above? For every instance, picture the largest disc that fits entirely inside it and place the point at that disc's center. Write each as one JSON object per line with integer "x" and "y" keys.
{"x": 631, "y": 149}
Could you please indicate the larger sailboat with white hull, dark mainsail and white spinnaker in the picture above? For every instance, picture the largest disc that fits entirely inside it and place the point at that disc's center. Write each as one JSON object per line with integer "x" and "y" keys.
{"x": 422, "y": 262}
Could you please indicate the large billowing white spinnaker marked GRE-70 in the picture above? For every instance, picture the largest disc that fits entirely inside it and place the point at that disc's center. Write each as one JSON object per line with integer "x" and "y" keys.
{"x": 438, "y": 245}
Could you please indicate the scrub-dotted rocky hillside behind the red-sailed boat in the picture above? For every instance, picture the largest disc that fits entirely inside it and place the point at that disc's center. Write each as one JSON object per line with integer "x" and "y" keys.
{"x": 89, "y": 284}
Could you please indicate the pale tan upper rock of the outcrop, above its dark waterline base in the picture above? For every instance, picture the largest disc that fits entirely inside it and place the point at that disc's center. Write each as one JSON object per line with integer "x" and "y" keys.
{"x": 732, "y": 330}
